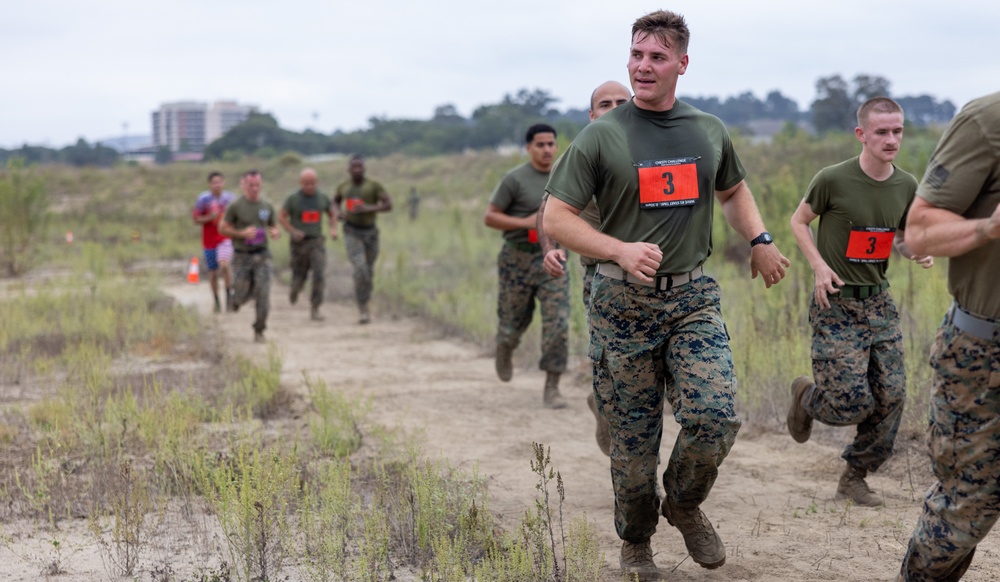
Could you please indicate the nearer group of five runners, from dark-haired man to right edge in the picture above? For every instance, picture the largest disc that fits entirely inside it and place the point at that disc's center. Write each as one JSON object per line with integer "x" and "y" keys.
{"x": 634, "y": 194}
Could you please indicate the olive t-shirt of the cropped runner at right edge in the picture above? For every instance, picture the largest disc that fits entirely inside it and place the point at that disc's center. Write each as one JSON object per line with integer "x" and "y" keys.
{"x": 963, "y": 176}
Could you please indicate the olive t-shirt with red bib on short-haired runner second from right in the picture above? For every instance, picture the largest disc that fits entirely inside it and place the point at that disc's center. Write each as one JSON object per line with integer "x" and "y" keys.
{"x": 859, "y": 218}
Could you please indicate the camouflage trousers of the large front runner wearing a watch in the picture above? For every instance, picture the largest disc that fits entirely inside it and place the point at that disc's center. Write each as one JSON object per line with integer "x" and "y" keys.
{"x": 646, "y": 346}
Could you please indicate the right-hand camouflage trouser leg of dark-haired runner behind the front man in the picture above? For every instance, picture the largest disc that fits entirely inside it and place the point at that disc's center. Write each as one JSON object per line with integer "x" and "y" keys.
{"x": 553, "y": 300}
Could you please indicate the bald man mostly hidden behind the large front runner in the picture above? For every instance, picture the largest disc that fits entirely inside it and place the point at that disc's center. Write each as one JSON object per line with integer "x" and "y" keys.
{"x": 606, "y": 97}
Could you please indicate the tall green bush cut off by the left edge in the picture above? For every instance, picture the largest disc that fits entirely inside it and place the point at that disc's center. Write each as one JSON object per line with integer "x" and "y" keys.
{"x": 24, "y": 214}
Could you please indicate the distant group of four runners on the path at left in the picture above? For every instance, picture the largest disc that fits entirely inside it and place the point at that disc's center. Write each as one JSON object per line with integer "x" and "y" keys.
{"x": 235, "y": 234}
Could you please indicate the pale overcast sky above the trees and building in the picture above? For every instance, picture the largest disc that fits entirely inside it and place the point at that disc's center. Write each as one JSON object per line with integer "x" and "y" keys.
{"x": 86, "y": 69}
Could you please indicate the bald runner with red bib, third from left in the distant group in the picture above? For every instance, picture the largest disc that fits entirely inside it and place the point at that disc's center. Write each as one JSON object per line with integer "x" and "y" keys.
{"x": 302, "y": 216}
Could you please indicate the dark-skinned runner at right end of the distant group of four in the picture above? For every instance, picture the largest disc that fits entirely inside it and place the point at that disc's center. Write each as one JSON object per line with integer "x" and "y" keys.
{"x": 363, "y": 199}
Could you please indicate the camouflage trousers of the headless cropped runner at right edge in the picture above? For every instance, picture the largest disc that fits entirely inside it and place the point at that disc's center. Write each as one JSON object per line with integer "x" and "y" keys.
{"x": 964, "y": 441}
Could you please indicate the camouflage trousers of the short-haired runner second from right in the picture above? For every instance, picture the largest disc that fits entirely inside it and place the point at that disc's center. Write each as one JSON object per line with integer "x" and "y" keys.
{"x": 857, "y": 358}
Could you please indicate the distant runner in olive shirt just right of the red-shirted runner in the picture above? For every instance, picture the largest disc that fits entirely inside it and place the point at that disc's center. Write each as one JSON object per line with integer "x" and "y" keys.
{"x": 250, "y": 221}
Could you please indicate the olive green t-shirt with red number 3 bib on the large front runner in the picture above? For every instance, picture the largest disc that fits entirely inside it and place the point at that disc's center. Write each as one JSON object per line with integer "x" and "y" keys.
{"x": 653, "y": 176}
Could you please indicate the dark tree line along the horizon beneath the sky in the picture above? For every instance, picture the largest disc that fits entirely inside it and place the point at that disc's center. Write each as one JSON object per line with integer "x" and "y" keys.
{"x": 492, "y": 125}
